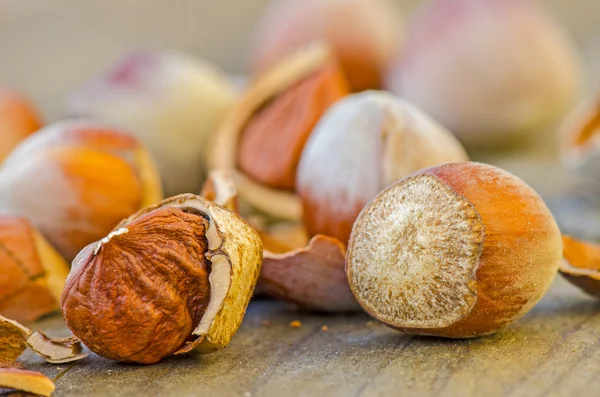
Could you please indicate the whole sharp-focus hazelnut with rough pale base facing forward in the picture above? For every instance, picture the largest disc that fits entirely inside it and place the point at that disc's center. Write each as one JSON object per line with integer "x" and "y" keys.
{"x": 456, "y": 250}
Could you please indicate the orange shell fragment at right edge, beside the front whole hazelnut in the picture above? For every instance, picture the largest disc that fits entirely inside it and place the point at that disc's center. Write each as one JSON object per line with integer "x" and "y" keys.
{"x": 581, "y": 265}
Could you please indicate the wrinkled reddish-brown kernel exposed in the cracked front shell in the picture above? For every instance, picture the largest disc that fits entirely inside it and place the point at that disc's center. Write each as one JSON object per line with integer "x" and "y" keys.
{"x": 140, "y": 297}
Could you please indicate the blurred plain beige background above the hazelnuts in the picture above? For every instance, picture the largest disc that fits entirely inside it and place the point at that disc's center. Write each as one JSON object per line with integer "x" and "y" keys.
{"x": 50, "y": 47}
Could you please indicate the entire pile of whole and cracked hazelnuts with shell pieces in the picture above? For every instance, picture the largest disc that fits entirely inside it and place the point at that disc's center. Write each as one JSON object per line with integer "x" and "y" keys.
{"x": 311, "y": 185}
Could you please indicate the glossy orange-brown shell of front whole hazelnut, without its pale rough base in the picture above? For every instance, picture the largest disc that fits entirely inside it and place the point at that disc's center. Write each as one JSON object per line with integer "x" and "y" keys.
{"x": 519, "y": 254}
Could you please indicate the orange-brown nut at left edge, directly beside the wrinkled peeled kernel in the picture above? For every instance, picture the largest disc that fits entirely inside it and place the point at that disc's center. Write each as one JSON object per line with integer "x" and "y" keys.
{"x": 33, "y": 272}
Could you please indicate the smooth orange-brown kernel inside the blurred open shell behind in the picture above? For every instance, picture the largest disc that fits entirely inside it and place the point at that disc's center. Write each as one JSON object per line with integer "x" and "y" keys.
{"x": 271, "y": 144}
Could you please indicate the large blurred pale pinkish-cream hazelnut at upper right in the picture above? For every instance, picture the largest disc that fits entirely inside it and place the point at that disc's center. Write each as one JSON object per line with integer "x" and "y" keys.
{"x": 491, "y": 71}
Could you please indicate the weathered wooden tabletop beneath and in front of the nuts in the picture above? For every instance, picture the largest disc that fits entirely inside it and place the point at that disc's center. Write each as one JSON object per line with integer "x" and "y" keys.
{"x": 553, "y": 351}
